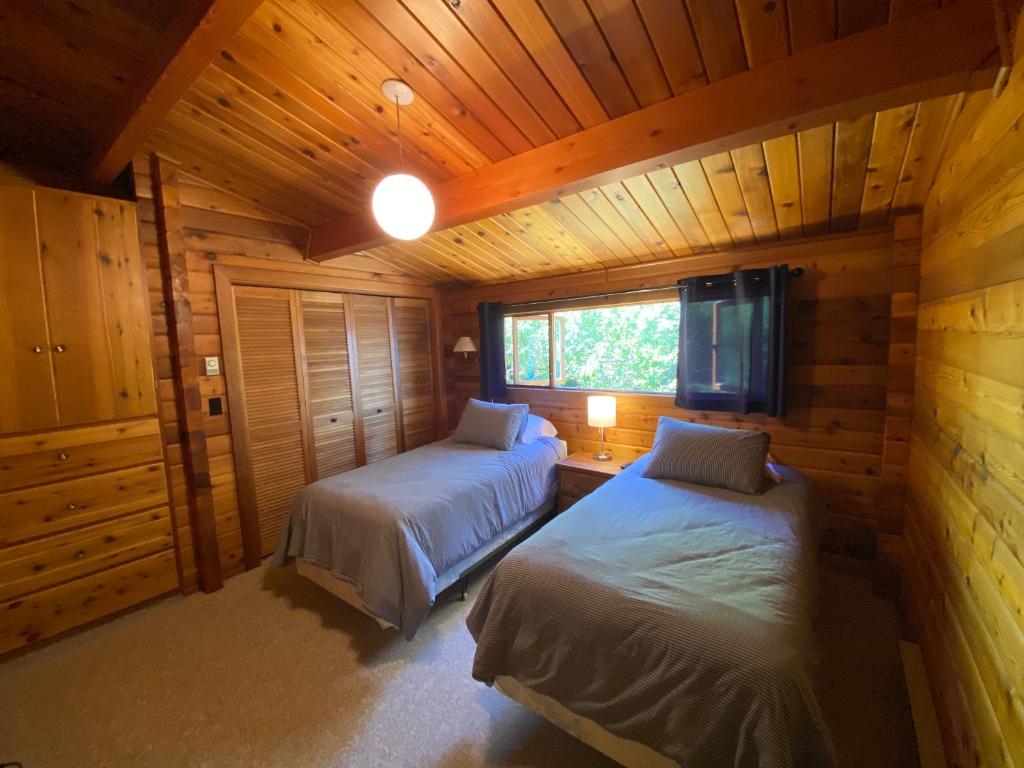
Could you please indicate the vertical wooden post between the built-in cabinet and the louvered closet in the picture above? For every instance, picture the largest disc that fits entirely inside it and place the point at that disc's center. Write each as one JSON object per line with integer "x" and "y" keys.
{"x": 192, "y": 431}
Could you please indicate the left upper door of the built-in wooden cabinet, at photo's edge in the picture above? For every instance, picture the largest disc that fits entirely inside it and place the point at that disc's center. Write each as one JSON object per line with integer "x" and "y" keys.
{"x": 27, "y": 395}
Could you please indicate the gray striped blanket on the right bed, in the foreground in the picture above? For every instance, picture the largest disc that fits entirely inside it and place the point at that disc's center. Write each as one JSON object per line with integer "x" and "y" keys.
{"x": 674, "y": 615}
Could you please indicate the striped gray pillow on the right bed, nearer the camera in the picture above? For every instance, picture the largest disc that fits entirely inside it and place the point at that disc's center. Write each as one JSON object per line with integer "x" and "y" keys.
{"x": 732, "y": 459}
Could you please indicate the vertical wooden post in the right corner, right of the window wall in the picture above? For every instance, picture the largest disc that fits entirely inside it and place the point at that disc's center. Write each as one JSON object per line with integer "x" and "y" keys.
{"x": 891, "y": 498}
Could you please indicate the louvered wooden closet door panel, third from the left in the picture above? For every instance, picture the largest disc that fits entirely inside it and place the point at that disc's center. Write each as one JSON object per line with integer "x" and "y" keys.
{"x": 375, "y": 376}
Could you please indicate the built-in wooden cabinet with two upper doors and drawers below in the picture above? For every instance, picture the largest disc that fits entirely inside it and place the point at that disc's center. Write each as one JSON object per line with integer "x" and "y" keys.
{"x": 86, "y": 527}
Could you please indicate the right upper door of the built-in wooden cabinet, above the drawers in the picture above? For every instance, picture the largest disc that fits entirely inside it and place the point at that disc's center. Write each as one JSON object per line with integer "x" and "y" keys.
{"x": 96, "y": 304}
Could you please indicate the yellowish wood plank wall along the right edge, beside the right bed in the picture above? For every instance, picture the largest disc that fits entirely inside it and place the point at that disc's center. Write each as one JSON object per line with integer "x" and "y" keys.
{"x": 964, "y": 572}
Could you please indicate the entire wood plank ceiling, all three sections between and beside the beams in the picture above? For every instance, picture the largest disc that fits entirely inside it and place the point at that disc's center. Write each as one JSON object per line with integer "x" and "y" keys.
{"x": 290, "y": 117}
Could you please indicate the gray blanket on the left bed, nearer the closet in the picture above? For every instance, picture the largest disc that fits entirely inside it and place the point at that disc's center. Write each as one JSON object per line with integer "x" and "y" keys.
{"x": 393, "y": 527}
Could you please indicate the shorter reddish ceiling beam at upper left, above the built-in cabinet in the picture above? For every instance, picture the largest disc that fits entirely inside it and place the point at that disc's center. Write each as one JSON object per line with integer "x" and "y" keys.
{"x": 174, "y": 73}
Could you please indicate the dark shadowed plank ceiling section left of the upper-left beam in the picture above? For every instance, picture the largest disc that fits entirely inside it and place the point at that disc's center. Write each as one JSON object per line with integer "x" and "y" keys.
{"x": 70, "y": 68}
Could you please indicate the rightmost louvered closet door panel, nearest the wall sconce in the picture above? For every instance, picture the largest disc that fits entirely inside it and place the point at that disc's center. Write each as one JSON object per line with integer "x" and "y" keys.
{"x": 412, "y": 322}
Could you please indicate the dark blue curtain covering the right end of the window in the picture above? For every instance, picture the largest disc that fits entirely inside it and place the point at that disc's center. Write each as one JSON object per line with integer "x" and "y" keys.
{"x": 733, "y": 343}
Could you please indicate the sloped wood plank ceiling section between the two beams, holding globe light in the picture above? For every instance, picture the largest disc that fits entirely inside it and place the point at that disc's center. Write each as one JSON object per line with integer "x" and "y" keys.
{"x": 291, "y": 114}
